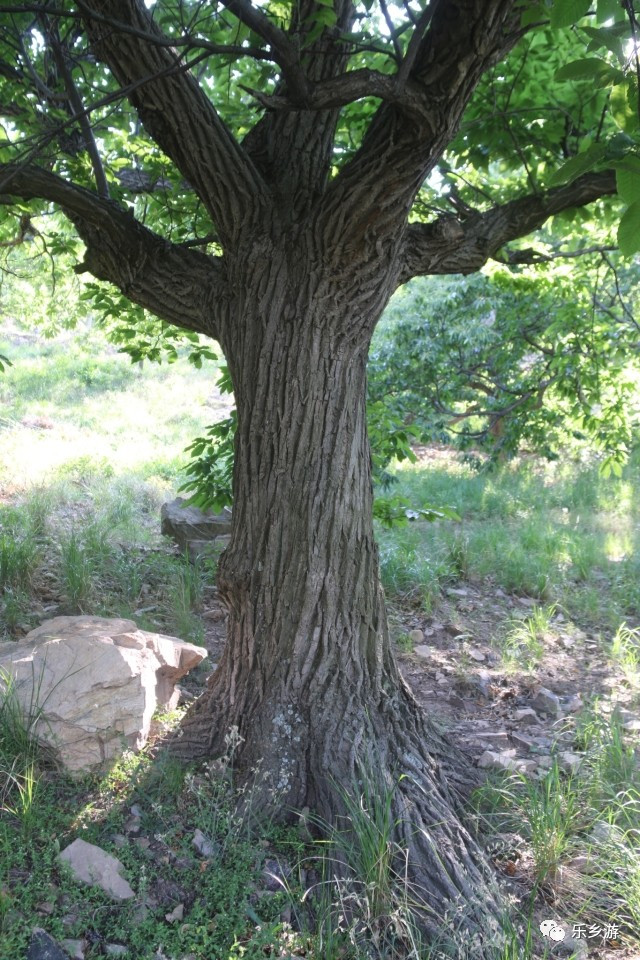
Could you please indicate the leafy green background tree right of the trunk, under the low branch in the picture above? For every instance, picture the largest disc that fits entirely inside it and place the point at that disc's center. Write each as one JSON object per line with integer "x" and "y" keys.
{"x": 501, "y": 361}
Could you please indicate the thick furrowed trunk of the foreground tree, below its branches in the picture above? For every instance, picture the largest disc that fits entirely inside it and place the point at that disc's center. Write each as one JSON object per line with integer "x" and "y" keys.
{"x": 308, "y": 675}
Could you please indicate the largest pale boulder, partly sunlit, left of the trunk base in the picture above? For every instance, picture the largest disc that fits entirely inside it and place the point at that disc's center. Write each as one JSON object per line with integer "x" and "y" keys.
{"x": 97, "y": 683}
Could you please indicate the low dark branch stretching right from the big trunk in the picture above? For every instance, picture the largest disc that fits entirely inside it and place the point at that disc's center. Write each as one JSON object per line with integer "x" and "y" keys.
{"x": 449, "y": 245}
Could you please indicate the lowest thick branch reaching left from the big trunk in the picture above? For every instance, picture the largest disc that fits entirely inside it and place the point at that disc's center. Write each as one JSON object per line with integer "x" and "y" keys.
{"x": 183, "y": 286}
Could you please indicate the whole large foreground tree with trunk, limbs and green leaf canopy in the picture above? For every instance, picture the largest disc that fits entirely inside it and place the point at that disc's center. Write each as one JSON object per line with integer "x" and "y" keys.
{"x": 267, "y": 175}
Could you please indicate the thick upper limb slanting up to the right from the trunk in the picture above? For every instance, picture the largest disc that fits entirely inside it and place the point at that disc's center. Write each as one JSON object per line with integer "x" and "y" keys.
{"x": 374, "y": 191}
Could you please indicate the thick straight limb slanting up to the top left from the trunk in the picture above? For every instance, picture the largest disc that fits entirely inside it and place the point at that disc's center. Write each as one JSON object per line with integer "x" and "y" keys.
{"x": 179, "y": 116}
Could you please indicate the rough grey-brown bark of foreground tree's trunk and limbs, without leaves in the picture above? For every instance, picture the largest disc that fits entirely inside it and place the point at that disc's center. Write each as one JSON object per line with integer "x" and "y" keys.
{"x": 308, "y": 675}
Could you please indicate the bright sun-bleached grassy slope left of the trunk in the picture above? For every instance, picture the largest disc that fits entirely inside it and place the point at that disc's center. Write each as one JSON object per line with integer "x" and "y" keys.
{"x": 63, "y": 405}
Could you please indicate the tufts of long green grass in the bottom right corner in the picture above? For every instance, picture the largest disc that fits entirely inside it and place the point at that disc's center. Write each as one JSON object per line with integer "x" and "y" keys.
{"x": 592, "y": 816}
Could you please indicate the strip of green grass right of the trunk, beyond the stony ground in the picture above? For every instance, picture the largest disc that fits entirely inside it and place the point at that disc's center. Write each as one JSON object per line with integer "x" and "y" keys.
{"x": 559, "y": 533}
